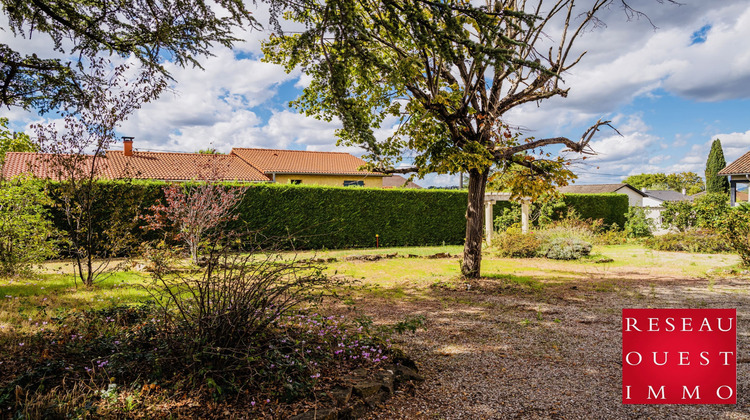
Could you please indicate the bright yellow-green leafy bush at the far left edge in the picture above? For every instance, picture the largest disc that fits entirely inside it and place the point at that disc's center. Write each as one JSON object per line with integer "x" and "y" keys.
{"x": 26, "y": 233}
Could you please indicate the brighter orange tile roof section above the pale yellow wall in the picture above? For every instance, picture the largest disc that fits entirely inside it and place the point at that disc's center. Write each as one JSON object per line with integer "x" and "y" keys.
{"x": 303, "y": 162}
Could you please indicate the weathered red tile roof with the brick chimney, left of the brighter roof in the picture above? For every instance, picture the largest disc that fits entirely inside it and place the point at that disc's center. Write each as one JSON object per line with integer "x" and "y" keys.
{"x": 143, "y": 165}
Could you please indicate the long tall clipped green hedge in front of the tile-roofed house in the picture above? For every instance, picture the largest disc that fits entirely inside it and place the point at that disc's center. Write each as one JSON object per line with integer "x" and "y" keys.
{"x": 313, "y": 217}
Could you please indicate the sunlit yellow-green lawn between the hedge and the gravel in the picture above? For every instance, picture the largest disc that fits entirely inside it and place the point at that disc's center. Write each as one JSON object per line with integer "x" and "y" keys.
{"x": 28, "y": 301}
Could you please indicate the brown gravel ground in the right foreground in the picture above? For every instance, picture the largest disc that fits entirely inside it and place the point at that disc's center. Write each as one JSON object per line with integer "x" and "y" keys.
{"x": 507, "y": 351}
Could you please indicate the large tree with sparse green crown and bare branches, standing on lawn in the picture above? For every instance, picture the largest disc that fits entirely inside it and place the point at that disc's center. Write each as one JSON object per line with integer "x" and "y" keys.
{"x": 448, "y": 71}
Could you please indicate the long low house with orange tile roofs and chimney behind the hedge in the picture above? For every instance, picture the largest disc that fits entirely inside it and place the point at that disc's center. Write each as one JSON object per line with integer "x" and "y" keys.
{"x": 243, "y": 165}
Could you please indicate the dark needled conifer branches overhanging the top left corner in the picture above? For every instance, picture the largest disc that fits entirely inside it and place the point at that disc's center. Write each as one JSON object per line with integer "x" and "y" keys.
{"x": 149, "y": 30}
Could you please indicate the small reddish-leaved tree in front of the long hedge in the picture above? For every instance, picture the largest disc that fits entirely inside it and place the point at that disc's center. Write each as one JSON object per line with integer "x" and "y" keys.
{"x": 195, "y": 211}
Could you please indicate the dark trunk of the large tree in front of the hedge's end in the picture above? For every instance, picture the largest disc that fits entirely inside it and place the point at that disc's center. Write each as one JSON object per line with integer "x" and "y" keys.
{"x": 471, "y": 265}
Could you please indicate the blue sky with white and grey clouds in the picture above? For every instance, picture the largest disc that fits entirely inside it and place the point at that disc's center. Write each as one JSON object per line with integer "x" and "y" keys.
{"x": 670, "y": 91}
